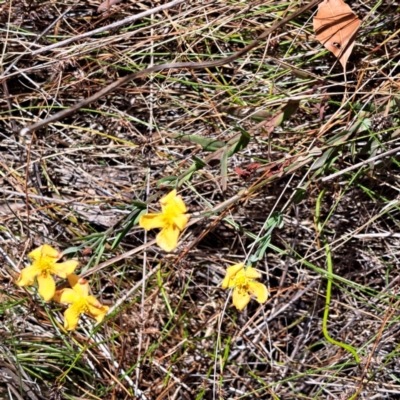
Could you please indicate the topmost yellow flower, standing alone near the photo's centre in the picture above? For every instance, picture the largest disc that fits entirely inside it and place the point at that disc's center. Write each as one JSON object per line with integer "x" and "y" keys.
{"x": 172, "y": 221}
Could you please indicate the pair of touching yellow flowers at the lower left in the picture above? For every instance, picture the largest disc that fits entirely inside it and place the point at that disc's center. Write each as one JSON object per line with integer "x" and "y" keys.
{"x": 43, "y": 267}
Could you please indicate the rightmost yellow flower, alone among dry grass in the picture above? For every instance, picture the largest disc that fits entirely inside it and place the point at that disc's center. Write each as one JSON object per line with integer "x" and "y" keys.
{"x": 244, "y": 284}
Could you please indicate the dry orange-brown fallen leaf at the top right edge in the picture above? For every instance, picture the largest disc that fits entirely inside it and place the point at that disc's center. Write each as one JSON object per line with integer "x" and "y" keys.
{"x": 335, "y": 26}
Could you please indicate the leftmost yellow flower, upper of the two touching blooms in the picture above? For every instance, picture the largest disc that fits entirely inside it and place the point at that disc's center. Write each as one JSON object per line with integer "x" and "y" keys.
{"x": 44, "y": 265}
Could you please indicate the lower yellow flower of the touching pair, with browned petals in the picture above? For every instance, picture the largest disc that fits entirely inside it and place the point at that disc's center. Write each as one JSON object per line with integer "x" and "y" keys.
{"x": 81, "y": 302}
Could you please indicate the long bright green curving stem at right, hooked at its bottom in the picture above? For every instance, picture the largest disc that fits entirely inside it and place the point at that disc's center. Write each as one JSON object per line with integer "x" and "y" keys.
{"x": 345, "y": 346}
